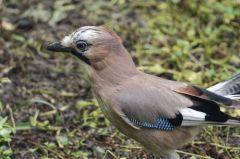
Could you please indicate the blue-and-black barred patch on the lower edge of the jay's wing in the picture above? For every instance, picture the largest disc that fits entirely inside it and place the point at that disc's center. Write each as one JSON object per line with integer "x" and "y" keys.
{"x": 160, "y": 123}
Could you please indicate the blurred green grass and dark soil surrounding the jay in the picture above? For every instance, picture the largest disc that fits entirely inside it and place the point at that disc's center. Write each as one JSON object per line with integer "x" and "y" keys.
{"x": 47, "y": 110}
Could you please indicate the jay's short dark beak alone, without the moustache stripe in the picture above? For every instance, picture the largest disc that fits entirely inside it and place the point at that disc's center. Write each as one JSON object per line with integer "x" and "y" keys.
{"x": 57, "y": 47}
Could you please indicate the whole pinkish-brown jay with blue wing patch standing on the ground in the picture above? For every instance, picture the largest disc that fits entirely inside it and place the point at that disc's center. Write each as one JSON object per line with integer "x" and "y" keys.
{"x": 161, "y": 114}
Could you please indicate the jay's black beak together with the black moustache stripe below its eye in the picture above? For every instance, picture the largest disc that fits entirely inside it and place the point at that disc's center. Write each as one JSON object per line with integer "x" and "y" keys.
{"x": 57, "y": 47}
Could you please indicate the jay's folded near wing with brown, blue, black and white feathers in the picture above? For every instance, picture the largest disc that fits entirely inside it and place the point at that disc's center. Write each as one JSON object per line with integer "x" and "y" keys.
{"x": 162, "y": 105}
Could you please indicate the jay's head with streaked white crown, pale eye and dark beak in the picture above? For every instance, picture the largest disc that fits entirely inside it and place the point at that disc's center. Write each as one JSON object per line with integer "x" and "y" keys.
{"x": 90, "y": 43}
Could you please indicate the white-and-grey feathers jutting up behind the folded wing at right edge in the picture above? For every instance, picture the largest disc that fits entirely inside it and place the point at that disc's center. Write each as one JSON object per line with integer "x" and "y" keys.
{"x": 229, "y": 88}
